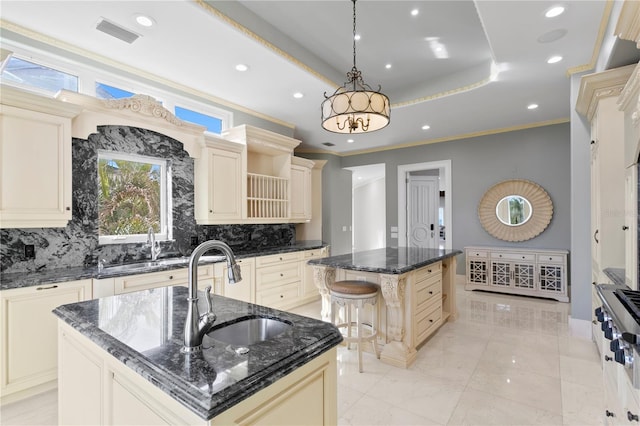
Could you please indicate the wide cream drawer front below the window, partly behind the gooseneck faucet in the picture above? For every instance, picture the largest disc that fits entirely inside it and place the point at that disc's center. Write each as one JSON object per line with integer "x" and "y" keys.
{"x": 159, "y": 279}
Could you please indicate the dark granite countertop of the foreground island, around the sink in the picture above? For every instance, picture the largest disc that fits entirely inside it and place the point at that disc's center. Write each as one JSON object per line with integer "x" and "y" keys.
{"x": 144, "y": 330}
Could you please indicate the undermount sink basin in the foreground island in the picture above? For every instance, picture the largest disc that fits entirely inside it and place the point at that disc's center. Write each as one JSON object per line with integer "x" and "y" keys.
{"x": 249, "y": 331}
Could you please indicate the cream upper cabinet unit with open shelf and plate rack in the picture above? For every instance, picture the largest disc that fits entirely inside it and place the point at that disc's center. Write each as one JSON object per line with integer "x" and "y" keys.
{"x": 251, "y": 176}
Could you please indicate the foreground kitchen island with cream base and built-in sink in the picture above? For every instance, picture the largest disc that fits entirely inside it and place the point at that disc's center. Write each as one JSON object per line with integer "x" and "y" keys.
{"x": 120, "y": 362}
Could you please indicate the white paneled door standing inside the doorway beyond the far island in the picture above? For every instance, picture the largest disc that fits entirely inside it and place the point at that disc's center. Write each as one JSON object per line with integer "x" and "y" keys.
{"x": 422, "y": 211}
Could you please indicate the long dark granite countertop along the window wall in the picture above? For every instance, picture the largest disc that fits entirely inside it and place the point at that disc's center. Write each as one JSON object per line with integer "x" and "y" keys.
{"x": 56, "y": 275}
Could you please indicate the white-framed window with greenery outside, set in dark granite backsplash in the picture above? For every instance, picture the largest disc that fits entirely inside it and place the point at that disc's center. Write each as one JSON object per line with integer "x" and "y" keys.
{"x": 133, "y": 197}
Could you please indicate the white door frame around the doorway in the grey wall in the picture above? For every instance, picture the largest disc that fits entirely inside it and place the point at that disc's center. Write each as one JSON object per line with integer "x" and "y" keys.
{"x": 403, "y": 171}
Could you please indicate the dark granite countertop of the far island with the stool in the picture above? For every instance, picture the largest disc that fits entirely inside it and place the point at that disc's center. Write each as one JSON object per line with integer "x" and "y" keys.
{"x": 390, "y": 260}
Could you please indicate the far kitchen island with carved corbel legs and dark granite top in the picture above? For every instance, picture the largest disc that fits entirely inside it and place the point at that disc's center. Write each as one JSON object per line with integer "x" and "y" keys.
{"x": 418, "y": 291}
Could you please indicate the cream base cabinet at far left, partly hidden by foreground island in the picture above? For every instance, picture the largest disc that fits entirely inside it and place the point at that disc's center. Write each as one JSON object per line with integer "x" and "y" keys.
{"x": 29, "y": 343}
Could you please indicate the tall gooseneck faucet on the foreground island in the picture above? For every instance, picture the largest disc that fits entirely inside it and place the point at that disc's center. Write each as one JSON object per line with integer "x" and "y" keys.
{"x": 197, "y": 325}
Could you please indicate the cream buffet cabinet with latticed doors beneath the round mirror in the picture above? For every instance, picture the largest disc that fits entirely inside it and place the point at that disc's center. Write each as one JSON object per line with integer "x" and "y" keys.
{"x": 530, "y": 272}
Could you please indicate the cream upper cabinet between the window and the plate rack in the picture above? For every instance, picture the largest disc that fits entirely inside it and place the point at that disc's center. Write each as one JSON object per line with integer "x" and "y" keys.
{"x": 220, "y": 188}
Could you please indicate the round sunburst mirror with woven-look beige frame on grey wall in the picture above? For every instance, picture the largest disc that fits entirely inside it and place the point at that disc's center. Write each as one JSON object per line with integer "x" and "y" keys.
{"x": 515, "y": 210}
